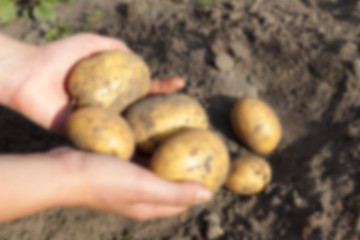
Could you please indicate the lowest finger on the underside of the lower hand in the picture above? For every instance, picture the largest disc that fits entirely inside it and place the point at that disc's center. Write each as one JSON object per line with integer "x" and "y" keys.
{"x": 144, "y": 211}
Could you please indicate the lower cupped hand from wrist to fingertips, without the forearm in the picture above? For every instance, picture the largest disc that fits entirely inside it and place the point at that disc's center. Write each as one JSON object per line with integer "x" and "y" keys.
{"x": 120, "y": 187}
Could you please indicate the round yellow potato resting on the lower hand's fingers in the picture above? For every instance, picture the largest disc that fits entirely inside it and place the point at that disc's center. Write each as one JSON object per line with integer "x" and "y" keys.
{"x": 192, "y": 155}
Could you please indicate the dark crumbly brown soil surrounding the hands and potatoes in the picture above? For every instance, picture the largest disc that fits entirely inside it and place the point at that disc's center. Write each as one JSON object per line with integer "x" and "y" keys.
{"x": 301, "y": 56}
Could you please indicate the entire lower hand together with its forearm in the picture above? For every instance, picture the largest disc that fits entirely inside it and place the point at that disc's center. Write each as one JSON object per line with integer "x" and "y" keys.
{"x": 66, "y": 177}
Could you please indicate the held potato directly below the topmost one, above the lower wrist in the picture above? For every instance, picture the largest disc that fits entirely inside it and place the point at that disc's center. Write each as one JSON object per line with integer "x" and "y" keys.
{"x": 101, "y": 131}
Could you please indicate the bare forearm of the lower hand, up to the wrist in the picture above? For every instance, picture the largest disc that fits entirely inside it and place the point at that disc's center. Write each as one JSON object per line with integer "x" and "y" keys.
{"x": 32, "y": 183}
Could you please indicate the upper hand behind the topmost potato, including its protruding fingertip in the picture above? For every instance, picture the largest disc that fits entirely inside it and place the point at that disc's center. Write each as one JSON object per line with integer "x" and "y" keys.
{"x": 40, "y": 94}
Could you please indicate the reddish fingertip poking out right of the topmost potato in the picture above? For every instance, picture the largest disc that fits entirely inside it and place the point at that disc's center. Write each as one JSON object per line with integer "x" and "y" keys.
{"x": 166, "y": 86}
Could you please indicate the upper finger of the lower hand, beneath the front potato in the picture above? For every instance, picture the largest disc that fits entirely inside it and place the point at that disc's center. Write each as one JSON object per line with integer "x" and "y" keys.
{"x": 153, "y": 189}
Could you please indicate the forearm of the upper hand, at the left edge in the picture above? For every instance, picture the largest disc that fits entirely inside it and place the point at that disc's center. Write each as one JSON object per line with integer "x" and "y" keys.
{"x": 13, "y": 54}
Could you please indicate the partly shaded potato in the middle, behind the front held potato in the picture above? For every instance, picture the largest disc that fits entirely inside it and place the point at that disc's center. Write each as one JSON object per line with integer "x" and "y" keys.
{"x": 155, "y": 118}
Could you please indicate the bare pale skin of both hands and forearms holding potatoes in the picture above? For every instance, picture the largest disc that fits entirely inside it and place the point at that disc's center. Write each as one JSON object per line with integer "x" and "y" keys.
{"x": 32, "y": 83}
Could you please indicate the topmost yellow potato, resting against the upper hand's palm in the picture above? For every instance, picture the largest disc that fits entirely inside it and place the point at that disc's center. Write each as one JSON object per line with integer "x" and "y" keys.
{"x": 110, "y": 80}
